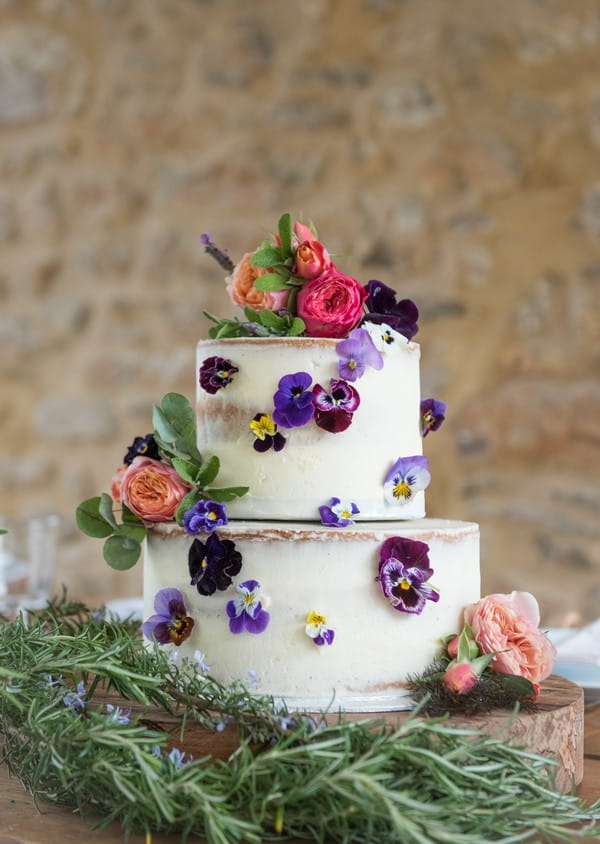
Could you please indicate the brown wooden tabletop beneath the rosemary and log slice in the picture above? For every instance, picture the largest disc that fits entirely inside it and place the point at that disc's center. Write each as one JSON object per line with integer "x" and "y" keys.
{"x": 22, "y": 823}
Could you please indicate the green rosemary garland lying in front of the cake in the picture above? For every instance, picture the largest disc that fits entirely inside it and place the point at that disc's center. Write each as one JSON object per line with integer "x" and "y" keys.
{"x": 291, "y": 776}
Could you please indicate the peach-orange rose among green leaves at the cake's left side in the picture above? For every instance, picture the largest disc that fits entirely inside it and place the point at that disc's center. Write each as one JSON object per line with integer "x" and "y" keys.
{"x": 152, "y": 489}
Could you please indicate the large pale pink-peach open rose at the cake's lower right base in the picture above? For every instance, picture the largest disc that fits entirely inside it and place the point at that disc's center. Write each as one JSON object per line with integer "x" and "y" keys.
{"x": 509, "y": 623}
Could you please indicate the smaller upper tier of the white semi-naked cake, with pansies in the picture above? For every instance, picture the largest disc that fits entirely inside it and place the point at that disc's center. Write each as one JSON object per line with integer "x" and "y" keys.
{"x": 374, "y": 463}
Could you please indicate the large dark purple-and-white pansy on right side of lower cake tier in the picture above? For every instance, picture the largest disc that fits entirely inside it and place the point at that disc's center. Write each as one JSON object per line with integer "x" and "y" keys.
{"x": 403, "y": 572}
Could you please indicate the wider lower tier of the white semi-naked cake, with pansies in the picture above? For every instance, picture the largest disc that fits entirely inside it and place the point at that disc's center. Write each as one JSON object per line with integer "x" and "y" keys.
{"x": 319, "y": 616}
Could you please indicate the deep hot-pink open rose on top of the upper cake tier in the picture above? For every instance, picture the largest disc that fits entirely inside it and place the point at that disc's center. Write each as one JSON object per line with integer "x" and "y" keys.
{"x": 331, "y": 304}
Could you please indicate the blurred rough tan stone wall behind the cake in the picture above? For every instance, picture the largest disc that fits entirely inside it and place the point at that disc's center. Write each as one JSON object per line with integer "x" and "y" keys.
{"x": 450, "y": 149}
